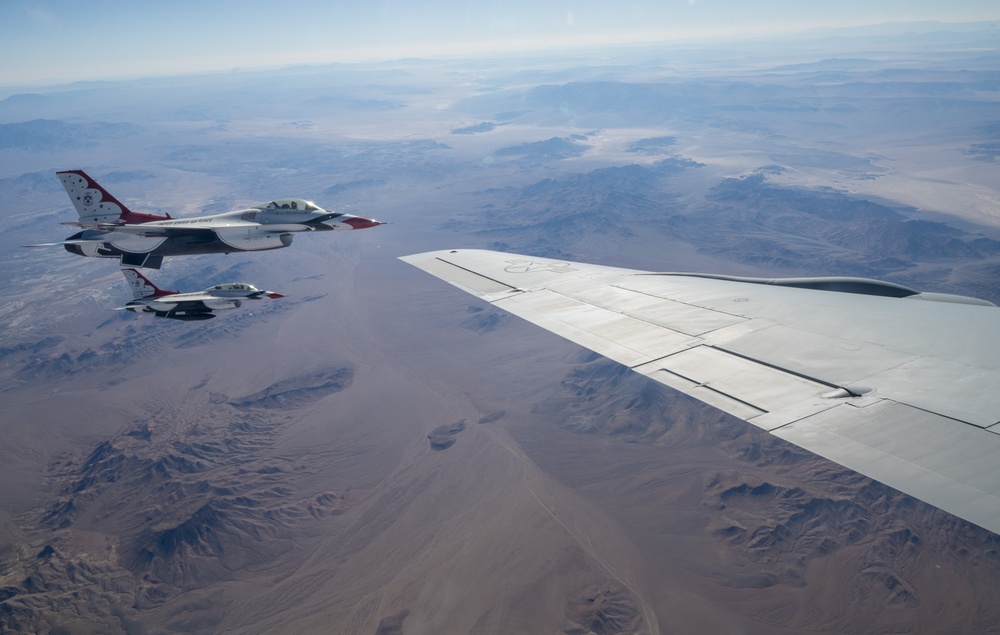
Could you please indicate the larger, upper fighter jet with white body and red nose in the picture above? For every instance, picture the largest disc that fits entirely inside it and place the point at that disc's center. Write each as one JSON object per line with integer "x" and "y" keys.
{"x": 112, "y": 230}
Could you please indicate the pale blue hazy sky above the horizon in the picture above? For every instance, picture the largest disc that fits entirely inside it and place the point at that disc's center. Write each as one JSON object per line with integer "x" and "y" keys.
{"x": 56, "y": 41}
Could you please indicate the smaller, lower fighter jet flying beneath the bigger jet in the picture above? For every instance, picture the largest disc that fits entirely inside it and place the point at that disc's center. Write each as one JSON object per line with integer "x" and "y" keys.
{"x": 147, "y": 298}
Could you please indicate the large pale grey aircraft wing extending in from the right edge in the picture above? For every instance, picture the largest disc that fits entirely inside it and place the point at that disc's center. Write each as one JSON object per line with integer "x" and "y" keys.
{"x": 899, "y": 385}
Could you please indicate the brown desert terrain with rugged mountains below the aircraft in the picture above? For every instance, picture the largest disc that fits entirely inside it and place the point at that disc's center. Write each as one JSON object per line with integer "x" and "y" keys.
{"x": 378, "y": 452}
